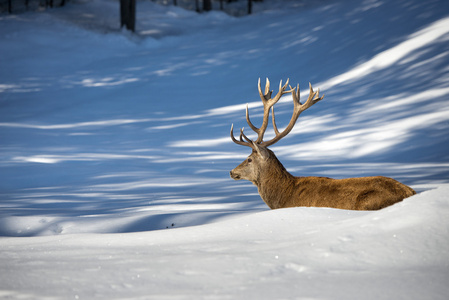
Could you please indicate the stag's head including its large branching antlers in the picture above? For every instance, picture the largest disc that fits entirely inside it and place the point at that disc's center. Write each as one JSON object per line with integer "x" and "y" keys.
{"x": 262, "y": 160}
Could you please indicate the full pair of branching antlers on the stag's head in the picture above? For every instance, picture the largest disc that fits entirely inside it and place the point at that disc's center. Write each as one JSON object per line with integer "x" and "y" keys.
{"x": 268, "y": 104}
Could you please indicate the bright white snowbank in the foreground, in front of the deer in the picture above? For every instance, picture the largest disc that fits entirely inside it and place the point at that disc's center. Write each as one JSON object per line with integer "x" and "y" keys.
{"x": 400, "y": 252}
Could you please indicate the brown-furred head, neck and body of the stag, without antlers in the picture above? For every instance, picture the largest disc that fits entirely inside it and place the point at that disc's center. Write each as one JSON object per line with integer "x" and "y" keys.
{"x": 279, "y": 189}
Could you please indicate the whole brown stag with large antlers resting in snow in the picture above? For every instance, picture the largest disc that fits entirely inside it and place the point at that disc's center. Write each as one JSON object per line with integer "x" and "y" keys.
{"x": 279, "y": 189}
